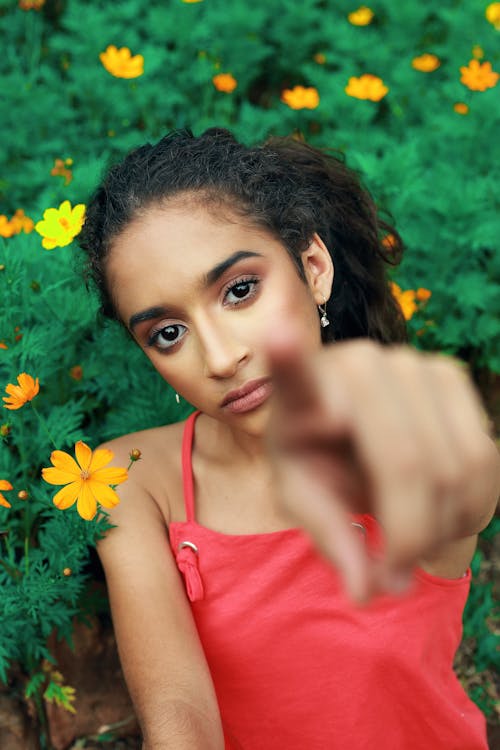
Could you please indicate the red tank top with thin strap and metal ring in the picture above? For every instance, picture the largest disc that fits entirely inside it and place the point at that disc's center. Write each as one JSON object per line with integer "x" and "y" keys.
{"x": 296, "y": 666}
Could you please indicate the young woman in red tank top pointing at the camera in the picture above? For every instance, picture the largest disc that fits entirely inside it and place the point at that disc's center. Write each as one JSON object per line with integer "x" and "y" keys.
{"x": 290, "y": 565}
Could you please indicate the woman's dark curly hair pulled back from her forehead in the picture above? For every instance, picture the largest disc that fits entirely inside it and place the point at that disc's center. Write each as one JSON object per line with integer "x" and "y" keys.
{"x": 285, "y": 186}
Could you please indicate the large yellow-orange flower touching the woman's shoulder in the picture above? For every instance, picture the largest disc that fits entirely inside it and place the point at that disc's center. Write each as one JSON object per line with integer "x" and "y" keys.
{"x": 86, "y": 480}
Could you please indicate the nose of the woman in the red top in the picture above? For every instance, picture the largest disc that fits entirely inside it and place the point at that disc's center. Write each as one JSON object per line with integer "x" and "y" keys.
{"x": 223, "y": 351}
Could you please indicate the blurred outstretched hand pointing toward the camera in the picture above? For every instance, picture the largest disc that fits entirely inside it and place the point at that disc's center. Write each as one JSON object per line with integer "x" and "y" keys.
{"x": 358, "y": 427}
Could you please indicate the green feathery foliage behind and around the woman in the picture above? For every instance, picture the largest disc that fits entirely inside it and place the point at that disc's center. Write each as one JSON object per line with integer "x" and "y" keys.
{"x": 430, "y": 167}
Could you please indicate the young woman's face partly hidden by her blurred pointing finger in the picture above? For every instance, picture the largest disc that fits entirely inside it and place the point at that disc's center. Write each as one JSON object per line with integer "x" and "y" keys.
{"x": 201, "y": 295}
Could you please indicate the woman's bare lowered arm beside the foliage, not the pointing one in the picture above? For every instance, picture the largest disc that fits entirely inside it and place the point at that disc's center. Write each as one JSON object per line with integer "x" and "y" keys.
{"x": 162, "y": 659}
